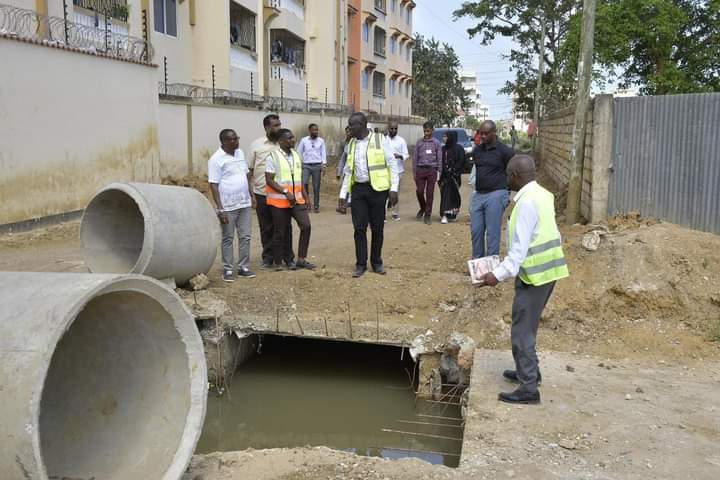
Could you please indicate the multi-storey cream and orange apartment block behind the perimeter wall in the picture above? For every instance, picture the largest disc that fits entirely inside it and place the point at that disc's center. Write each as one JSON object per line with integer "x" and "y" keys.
{"x": 336, "y": 51}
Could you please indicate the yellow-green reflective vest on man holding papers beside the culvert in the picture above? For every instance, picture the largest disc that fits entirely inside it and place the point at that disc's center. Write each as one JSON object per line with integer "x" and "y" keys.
{"x": 545, "y": 261}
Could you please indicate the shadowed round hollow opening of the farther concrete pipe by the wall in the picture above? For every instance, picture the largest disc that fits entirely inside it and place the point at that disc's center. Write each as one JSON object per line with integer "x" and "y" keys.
{"x": 112, "y": 232}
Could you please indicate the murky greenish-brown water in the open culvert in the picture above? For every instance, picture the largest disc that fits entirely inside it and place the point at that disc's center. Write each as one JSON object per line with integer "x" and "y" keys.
{"x": 300, "y": 392}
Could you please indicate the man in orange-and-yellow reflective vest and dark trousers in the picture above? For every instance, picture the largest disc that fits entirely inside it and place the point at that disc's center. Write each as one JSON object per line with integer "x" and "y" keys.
{"x": 287, "y": 198}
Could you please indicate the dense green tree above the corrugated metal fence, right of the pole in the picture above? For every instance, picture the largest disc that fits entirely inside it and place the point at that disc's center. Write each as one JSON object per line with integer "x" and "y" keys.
{"x": 664, "y": 46}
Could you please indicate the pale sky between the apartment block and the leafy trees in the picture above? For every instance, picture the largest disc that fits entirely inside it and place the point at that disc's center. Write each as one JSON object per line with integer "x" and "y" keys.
{"x": 433, "y": 18}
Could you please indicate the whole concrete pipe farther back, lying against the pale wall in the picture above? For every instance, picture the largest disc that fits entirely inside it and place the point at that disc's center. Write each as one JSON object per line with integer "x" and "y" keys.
{"x": 165, "y": 232}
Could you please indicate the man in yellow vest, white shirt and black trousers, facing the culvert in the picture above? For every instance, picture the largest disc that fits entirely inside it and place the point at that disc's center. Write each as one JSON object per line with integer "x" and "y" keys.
{"x": 371, "y": 177}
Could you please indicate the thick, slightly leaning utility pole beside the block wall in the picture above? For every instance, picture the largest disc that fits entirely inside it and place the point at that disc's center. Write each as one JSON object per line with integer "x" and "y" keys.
{"x": 577, "y": 154}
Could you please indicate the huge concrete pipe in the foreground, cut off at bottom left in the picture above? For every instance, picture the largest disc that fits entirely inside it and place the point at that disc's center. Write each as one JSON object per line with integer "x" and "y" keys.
{"x": 102, "y": 377}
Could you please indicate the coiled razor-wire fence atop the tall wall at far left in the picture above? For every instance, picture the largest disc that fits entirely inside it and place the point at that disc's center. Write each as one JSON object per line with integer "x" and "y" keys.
{"x": 30, "y": 25}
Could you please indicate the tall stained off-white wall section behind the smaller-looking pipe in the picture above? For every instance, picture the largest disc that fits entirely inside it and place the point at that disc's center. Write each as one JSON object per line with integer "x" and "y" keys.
{"x": 71, "y": 123}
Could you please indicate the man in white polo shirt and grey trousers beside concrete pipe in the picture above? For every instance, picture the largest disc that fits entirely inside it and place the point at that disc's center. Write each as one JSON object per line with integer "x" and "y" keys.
{"x": 228, "y": 177}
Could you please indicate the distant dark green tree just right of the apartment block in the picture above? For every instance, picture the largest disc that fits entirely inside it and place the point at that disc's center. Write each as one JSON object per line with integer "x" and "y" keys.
{"x": 437, "y": 89}
